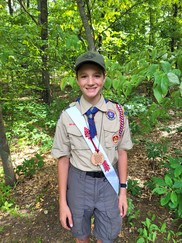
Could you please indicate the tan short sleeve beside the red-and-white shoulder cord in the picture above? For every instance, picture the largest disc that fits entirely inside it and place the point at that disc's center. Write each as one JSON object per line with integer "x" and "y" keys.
{"x": 126, "y": 142}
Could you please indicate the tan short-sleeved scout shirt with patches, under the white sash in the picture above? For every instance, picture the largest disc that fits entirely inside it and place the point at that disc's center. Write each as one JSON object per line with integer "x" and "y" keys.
{"x": 68, "y": 140}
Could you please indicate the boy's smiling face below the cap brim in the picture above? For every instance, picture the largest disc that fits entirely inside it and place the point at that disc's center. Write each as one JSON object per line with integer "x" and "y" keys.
{"x": 91, "y": 78}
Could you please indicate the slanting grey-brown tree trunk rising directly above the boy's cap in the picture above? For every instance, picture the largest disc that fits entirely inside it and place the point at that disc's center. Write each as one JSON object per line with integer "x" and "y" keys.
{"x": 87, "y": 26}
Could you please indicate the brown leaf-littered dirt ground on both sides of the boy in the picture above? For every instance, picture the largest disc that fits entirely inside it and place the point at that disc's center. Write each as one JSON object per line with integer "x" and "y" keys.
{"x": 37, "y": 200}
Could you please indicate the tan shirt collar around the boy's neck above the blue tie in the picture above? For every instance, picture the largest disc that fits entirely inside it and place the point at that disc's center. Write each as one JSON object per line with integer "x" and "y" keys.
{"x": 85, "y": 105}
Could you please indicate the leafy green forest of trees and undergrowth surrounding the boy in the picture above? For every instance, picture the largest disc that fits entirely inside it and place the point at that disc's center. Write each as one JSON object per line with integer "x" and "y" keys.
{"x": 141, "y": 43}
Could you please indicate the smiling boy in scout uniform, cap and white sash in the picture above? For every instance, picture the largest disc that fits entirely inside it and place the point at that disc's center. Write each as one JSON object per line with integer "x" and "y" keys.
{"x": 91, "y": 142}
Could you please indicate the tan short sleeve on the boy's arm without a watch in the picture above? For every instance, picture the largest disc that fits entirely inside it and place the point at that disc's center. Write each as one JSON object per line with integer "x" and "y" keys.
{"x": 61, "y": 144}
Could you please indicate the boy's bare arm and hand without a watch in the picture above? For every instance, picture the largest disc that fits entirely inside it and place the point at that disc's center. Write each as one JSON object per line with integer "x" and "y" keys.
{"x": 64, "y": 211}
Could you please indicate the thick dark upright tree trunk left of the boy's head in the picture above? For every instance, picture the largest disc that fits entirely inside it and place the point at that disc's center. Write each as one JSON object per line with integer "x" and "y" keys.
{"x": 43, "y": 22}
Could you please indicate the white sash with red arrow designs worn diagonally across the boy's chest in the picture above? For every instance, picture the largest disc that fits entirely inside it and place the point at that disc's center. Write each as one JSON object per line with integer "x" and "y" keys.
{"x": 106, "y": 165}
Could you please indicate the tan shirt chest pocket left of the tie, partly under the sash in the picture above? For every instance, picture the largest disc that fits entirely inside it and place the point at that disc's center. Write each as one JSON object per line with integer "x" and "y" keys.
{"x": 77, "y": 140}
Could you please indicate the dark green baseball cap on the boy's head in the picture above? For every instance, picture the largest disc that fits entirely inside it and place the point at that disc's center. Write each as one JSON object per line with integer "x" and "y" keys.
{"x": 90, "y": 56}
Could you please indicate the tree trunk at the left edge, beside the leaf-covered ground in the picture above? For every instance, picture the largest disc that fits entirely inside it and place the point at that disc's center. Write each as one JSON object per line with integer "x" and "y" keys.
{"x": 10, "y": 178}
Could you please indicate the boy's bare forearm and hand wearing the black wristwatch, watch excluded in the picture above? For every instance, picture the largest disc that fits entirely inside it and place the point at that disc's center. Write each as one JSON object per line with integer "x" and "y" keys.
{"x": 122, "y": 173}
